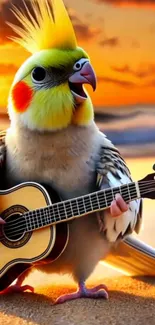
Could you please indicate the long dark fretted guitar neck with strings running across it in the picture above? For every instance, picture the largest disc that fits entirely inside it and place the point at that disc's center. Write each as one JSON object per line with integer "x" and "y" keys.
{"x": 77, "y": 207}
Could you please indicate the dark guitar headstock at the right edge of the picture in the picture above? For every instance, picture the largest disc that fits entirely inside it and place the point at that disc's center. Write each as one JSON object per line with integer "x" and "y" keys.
{"x": 147, "y": 186}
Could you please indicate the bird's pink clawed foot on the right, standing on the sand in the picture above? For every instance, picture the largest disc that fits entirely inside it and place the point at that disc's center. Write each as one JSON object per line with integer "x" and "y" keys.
{"x": 99, "y": 291}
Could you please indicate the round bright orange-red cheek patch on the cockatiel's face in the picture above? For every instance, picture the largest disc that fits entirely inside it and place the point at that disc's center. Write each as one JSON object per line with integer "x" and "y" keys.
{"x": 22, "y": 95}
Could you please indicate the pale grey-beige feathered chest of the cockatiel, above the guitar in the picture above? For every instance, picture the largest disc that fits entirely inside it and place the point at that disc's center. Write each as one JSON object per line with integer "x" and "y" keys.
{"x": 69, "y": 167}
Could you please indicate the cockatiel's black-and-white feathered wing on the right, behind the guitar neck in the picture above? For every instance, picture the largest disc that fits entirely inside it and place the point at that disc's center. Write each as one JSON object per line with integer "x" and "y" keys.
{"x": 112, "y": 171}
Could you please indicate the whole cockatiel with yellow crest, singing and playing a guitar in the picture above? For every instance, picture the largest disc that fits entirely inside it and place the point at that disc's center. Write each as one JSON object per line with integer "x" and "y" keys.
{"x": 54, "y": 140}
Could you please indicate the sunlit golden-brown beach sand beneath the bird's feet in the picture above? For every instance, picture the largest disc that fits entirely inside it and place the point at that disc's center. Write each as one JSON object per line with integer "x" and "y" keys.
{"x": 132, "y": 301}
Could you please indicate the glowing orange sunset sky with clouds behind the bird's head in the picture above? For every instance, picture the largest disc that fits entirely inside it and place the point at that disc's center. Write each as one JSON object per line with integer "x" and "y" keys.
{"x": 120, "y": 39}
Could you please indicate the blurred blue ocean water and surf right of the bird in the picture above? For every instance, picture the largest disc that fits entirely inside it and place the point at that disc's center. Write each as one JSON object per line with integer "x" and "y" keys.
{"x": 132, "y": 131}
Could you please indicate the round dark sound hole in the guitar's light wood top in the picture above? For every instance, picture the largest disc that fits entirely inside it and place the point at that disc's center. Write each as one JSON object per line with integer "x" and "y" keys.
{"x": 15, "y": 227}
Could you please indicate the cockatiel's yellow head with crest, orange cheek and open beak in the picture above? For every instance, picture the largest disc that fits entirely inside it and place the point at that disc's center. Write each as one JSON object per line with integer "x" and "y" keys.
{"x": 47, "y": 92}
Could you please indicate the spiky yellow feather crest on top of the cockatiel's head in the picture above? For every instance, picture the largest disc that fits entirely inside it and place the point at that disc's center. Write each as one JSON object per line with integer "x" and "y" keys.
{"x": 45, "y": 25}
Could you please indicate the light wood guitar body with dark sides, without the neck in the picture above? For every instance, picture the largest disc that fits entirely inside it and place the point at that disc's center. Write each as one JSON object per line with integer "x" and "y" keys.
{"x": 18, "y": 253}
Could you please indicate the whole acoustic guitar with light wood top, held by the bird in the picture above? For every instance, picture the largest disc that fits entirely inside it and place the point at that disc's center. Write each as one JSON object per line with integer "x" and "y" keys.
{"x": 37, "y": 231}
